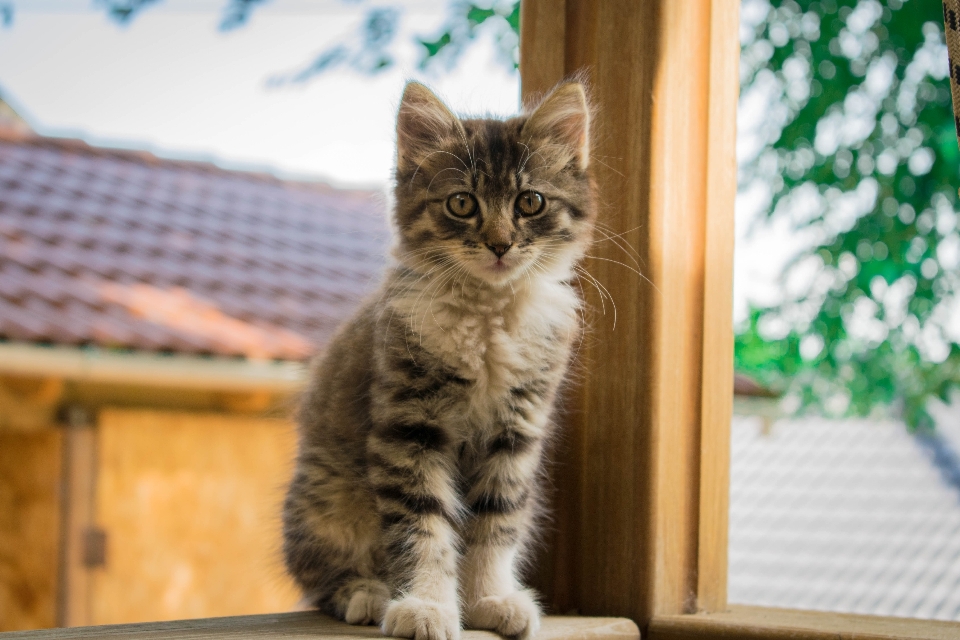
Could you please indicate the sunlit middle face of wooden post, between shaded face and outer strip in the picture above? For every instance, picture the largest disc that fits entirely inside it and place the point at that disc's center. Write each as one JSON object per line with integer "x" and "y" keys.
{"x": 677, "y": 237}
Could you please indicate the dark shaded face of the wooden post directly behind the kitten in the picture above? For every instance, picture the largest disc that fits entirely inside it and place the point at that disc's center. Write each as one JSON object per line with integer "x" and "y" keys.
{"x": 611, "y": 428}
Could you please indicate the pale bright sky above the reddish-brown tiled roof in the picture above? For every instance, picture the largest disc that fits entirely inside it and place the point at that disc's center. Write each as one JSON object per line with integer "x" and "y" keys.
{"x": 171, "y": 82}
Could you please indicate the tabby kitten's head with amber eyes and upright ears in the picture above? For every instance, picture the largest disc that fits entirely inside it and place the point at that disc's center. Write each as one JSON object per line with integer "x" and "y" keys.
{"x": 491, "y": 198}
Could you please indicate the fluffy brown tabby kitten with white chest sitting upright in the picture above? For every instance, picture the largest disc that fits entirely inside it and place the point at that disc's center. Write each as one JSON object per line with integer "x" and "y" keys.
{"x": 421, "y": 434}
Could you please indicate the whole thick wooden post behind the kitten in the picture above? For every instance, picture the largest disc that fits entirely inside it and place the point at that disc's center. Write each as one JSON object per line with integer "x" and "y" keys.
{"x": 643, "y": 512}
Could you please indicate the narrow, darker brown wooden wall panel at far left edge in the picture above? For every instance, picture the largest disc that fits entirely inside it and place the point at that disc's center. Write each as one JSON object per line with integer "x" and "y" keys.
{"x": 29, "y": 528}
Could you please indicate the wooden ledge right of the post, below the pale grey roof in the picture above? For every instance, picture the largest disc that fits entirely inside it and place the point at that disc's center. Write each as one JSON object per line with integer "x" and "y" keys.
{"x": 756, "y": 623}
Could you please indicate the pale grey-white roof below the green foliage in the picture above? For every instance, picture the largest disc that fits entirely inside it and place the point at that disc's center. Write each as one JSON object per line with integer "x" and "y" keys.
{"x": 851, "y": 516}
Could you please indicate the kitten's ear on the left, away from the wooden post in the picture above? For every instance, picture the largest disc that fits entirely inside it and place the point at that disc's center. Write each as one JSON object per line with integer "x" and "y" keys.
{"x": 422, "y": 123}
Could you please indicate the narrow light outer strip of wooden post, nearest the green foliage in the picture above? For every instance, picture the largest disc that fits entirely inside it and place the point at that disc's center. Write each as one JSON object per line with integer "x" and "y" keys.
{"x": 717, "y": 392}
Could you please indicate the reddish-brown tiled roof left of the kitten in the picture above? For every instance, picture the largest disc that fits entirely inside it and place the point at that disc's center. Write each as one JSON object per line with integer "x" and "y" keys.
{"x": 122, "y": 249}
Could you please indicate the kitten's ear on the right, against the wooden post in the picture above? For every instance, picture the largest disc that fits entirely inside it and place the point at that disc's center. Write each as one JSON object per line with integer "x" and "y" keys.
{"x": 564, "y": 117}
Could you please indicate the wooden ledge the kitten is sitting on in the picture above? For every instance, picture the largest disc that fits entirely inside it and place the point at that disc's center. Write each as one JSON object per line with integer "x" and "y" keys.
{"x": 313, "y": 626}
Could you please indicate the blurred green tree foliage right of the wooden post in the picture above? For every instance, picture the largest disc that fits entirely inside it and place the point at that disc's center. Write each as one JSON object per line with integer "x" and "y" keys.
{"x": 863, "y": 162}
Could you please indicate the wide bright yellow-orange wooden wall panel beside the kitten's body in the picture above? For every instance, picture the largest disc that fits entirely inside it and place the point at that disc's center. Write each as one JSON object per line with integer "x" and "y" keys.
{"x": 190, "y": 504}
